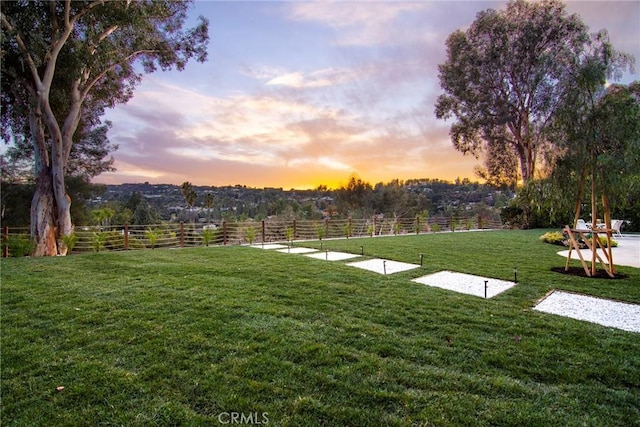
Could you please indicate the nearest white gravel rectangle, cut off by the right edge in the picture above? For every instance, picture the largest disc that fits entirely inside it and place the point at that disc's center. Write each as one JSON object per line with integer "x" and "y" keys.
{"x": 604, "y": 312}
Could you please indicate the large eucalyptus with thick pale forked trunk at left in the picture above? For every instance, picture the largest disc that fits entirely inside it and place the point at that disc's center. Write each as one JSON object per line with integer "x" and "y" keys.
{"x": 68, "y": 60}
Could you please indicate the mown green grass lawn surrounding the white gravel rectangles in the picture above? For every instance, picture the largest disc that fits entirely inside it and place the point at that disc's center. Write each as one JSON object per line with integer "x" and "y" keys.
{"x": 199, "y": 336}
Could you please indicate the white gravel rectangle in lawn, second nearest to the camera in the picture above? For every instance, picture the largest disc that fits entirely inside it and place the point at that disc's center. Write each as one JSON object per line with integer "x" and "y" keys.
{"x": 465, "y": 283}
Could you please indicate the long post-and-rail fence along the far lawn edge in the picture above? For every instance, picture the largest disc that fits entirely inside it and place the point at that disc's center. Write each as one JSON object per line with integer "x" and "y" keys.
{"x": 16, "y": 240}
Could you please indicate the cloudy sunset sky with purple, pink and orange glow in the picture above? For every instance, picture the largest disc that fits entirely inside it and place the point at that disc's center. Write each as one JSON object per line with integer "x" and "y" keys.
{"x": 298, "y": 94}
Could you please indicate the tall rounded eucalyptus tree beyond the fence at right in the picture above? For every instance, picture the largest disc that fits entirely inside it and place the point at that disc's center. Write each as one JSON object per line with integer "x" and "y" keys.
{"x": 502, "y": 83}
